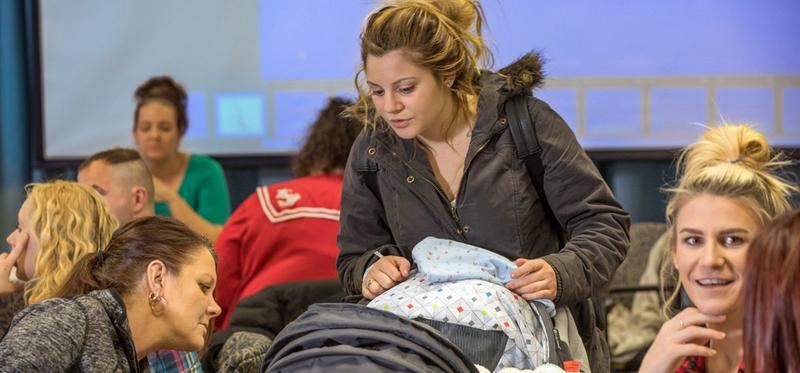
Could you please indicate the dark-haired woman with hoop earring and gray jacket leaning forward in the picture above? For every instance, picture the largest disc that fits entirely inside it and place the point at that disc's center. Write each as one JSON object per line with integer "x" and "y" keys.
{"x": 150, "y": 289}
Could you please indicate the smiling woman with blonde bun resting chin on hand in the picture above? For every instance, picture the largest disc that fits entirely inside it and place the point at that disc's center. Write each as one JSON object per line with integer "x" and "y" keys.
{"x": 728, "y": 190}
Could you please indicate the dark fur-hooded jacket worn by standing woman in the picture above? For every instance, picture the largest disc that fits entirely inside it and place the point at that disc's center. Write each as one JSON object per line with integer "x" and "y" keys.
{"x": 497, "y": 206}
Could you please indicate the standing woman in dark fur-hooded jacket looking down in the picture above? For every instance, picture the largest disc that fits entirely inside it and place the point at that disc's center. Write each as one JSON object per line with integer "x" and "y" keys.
{"x": 437, "y": 159}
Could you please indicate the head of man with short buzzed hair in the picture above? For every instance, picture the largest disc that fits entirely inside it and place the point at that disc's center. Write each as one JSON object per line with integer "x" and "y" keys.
{"x": 122, "y": 178}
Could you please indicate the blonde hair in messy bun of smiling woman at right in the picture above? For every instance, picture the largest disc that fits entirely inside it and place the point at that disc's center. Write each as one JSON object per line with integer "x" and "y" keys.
{"x": 731, "y": 161}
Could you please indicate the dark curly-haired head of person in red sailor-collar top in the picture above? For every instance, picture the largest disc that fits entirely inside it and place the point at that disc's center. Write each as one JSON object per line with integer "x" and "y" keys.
{"x": 328, "y": 142}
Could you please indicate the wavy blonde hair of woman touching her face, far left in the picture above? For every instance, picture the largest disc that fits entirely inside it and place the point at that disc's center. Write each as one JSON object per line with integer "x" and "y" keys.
{"x": 70, "y": 220}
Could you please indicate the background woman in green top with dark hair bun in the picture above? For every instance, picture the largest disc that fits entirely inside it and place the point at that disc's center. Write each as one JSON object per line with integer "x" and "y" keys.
{"x": 189, "y": 187}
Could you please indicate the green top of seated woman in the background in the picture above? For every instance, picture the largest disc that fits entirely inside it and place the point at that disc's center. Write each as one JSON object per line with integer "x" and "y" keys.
{"x": 204, "y": 188}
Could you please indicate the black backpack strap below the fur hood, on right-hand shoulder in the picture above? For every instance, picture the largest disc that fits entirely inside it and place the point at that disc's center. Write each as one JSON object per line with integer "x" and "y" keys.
{"x": 523, "y": 133}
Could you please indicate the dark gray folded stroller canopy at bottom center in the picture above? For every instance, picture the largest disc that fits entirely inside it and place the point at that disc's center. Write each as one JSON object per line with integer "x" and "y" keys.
{"x": 344, "y": 337}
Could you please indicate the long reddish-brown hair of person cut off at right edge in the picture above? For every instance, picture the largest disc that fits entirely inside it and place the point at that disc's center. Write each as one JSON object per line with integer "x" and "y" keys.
{"x": 772, "y": 298}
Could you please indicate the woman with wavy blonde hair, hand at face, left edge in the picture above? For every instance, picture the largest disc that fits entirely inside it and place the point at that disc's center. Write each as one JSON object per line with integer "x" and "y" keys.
{"x": 58, "y": 224}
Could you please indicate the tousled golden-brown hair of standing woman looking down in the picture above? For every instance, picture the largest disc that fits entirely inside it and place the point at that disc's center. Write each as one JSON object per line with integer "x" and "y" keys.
{"x": 443, "y": 36}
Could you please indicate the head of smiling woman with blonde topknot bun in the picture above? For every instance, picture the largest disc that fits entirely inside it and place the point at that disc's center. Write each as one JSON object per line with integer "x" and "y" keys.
{"x": 726, "y": 193}
